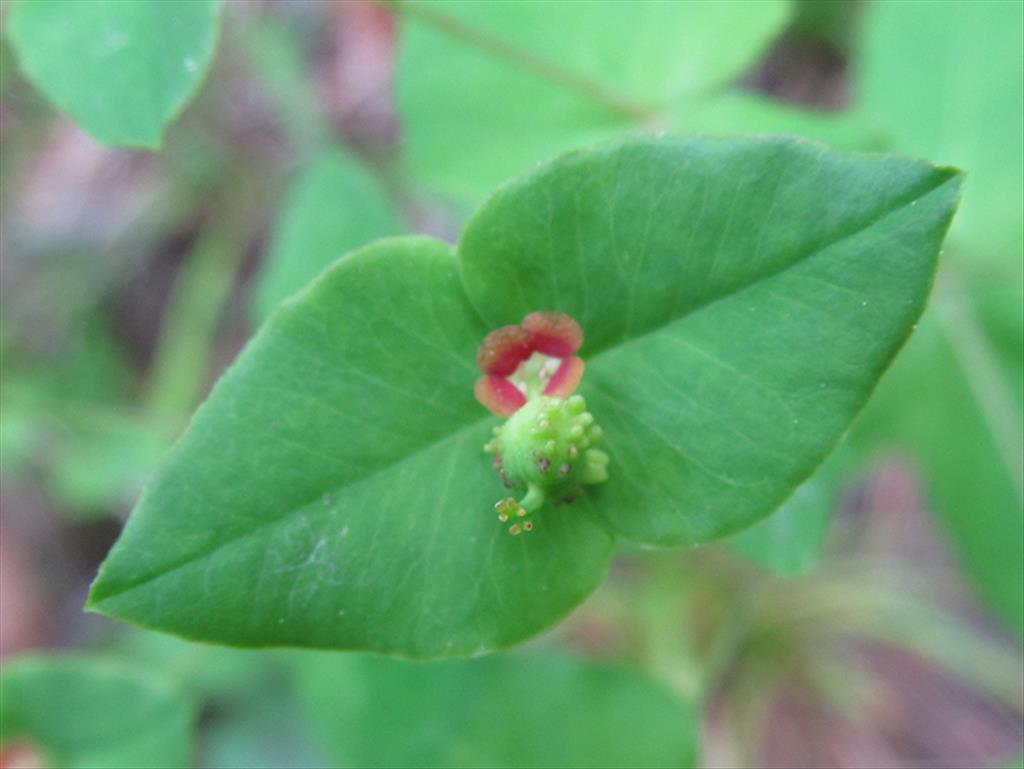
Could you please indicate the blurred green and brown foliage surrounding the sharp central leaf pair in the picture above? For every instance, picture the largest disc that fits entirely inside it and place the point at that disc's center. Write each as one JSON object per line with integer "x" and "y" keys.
{"x": 876, "y": 620}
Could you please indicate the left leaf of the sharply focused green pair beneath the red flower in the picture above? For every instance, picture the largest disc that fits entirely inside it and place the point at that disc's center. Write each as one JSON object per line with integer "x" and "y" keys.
{"x": 333, "y": 491}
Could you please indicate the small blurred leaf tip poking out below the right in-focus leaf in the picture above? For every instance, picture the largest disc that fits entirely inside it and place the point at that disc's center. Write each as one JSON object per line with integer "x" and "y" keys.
{"x": 789, "y": 542}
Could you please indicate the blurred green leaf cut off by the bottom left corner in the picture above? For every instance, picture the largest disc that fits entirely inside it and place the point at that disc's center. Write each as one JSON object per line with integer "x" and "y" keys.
{"x": 82, "y": 712}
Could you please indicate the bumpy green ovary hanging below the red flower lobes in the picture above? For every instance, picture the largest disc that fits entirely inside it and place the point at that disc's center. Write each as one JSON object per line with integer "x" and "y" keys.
{"x": 547, "y": 449}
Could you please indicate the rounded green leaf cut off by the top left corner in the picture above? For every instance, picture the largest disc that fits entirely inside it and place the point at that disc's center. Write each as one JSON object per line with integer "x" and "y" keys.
{"x": 122, "y": 70}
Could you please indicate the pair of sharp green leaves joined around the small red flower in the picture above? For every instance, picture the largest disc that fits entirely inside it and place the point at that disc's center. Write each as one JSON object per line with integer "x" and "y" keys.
{"x": 740, "y": 301}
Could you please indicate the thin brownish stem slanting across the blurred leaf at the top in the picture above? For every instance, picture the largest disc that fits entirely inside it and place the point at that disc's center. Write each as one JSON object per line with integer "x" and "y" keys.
{"x": 622, "y": 104}
